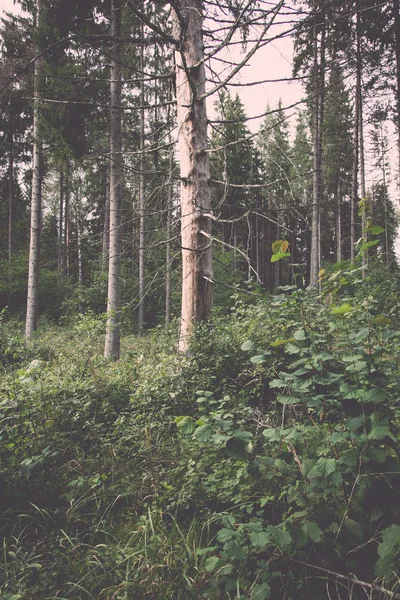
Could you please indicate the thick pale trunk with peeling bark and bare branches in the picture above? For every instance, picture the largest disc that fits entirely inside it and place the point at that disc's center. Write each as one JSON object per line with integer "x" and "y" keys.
{"x": 197, "y": 273}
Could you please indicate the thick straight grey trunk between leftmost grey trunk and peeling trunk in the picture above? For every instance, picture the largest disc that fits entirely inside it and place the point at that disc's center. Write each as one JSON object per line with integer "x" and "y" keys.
{"x": 112, "y": 341}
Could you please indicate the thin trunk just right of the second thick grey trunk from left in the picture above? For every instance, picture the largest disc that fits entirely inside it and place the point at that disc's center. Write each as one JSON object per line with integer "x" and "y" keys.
{"x": 141, "y": 202}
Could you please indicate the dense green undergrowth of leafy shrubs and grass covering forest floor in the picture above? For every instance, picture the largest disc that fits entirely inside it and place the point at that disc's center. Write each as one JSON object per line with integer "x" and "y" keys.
{"x": 266, "y": 465}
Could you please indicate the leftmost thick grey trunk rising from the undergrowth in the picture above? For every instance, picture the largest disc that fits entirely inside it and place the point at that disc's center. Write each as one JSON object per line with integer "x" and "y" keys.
{"x": 34, "y": 245}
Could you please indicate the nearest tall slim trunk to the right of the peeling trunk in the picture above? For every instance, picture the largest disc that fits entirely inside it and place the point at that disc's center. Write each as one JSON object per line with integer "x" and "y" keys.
{"x": 315, "y": 245}
